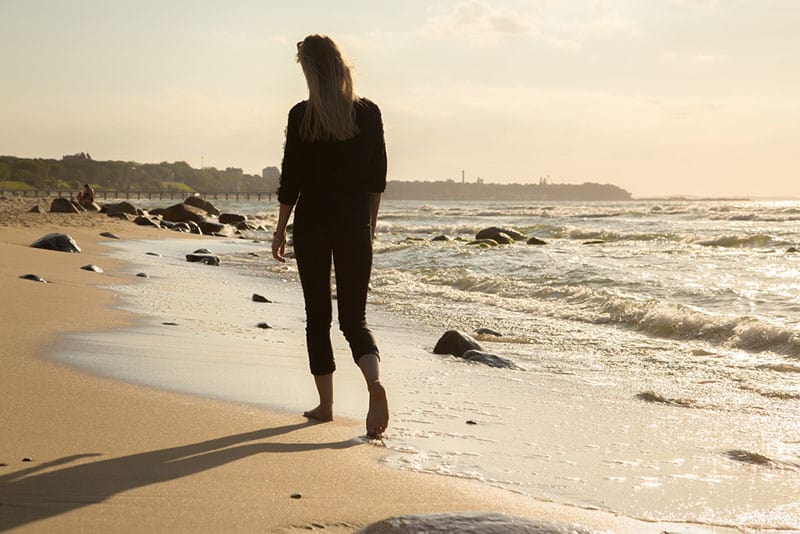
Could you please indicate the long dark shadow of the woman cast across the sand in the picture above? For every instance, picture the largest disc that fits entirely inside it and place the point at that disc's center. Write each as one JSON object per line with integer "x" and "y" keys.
{"x": 26, "y": 497}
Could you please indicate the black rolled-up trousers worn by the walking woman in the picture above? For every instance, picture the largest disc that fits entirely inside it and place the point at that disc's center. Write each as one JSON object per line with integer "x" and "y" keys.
{"x": 350, "y": 247}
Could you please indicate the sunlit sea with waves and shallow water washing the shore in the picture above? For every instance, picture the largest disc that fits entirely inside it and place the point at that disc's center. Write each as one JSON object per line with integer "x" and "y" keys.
{"x": 657, "y": 345}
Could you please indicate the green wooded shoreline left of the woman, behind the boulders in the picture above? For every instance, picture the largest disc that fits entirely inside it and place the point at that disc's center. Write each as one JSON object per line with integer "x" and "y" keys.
{"x": 71, "y": 172}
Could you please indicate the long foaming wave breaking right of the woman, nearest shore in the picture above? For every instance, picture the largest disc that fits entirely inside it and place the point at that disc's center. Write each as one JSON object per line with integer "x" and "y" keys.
{"x": 653, "y": 317}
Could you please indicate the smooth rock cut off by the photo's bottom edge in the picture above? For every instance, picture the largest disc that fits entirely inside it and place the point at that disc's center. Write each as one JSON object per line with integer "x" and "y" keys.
{"x": 474, "y": 522}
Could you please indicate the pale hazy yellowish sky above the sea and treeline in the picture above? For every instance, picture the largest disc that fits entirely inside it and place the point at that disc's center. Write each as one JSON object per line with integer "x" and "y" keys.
{"x": 661, "y": 97}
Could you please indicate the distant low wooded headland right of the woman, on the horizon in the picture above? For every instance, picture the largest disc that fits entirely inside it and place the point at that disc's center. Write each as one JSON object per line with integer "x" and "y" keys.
{"x": 451, "y": 190}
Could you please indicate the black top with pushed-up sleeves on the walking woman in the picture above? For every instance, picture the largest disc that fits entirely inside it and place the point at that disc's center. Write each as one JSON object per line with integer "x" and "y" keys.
{"x": 323, "y": 173}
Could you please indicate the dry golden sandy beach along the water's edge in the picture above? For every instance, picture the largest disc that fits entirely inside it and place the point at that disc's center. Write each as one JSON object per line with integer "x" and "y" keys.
{"x": 80, "y": 452}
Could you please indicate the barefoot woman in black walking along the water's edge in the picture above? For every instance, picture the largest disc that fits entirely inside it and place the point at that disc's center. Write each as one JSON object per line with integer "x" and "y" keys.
{"x": 334, "y": 170}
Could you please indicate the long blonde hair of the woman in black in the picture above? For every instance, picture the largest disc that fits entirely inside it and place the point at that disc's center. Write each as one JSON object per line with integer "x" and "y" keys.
{"x": 329, "y": 114}
